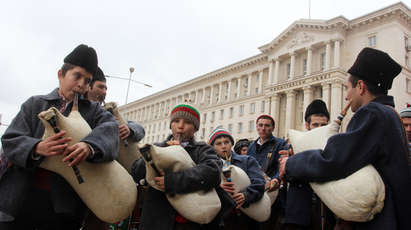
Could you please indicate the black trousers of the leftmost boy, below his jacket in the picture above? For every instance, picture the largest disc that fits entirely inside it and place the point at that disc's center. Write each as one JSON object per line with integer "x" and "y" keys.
{"x": 38, "y": 213}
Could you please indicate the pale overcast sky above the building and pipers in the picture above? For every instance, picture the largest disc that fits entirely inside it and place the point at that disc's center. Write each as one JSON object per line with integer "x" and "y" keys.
{"x": 167, "y": 42}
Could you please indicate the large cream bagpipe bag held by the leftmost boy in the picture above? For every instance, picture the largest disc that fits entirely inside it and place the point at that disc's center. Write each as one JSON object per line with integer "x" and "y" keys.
{"x": 108, "y": 189}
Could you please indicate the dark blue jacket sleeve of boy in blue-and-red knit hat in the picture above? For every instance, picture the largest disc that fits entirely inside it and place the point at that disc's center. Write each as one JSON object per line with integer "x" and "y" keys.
{"x": 255, "y": 190}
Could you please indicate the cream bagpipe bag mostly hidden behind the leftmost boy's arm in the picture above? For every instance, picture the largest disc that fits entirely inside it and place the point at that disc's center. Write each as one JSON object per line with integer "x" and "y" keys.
{"x": 128, "y": 151}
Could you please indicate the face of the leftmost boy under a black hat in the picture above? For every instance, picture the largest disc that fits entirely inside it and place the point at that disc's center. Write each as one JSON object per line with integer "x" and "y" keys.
{"x": 75, "y": 80}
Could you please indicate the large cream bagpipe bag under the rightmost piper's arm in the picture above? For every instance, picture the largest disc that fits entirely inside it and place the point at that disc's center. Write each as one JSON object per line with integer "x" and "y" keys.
{"x": 357, "y": 197}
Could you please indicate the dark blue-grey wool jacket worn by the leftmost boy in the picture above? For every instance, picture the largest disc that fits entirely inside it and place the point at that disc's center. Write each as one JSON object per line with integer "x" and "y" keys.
{"x": 26, "y": 131}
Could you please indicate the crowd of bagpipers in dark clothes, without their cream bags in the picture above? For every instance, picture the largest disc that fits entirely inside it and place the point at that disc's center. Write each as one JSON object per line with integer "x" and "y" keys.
{"x": 35, "y": 198}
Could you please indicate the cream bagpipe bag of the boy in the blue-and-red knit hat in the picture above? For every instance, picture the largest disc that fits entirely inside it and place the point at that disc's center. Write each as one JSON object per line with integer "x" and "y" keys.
{"x": 260, "y": 210}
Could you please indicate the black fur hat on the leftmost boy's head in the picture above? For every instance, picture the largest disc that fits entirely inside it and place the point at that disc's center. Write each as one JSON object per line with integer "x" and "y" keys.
{"x": 83, "y": 56}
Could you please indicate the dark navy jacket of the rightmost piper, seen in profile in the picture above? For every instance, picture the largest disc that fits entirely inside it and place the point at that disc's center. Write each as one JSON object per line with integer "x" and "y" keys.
{"x": 373, "y": 136}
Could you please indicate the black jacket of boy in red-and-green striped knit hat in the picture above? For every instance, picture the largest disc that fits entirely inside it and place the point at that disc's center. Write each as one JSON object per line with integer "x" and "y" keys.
{"x": 157, "y": 212}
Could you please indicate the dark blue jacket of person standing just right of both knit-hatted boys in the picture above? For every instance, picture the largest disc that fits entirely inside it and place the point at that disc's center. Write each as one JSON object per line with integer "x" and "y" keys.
{"x": 259, "y": 152}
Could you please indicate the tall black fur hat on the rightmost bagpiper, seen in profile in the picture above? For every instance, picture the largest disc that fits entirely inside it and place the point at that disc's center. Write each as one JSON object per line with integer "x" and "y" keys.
{"x": 376, "y": 67}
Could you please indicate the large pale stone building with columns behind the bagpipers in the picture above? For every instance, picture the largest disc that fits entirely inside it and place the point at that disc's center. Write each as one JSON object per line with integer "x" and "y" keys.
{"x": 306, "y": 61}
